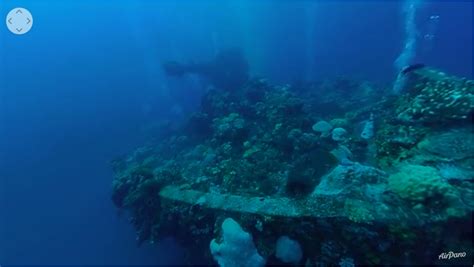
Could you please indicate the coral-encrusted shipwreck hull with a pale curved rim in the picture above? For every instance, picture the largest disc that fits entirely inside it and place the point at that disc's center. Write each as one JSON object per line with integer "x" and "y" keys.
{"x": 403, "y": 196}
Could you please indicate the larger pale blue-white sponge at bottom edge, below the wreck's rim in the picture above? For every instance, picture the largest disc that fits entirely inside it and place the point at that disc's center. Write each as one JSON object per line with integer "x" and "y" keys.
{"x": 237, "y": 248}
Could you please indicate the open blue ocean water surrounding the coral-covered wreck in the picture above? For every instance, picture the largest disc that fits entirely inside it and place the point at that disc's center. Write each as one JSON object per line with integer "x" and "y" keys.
{"x": 85, "y": 84}
